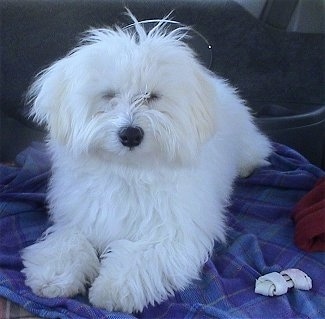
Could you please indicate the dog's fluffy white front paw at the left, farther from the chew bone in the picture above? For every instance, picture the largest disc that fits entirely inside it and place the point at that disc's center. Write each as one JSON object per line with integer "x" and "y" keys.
{"x": 60, "y": 265}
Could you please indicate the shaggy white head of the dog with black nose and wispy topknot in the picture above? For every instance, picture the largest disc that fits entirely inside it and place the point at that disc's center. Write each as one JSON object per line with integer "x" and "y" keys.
{"x": 127, "y": 95}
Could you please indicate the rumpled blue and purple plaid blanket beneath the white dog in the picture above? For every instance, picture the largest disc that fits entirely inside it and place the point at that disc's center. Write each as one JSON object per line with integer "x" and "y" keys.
{"x": 260, "y": 241}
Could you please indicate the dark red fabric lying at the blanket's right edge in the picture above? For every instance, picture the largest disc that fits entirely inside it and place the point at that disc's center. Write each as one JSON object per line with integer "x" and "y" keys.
{"x": 309, "y": 216}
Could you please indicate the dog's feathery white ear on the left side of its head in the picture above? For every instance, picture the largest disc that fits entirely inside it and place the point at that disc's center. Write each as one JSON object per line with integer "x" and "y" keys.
{"x": 47, "y": 98}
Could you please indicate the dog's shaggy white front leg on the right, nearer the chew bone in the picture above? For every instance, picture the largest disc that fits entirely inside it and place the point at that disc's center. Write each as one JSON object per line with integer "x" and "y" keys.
{"x": 134, "y": 275}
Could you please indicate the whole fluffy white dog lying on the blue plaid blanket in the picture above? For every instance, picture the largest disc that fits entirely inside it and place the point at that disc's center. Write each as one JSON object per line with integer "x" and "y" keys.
{"x": 145, "y": 144}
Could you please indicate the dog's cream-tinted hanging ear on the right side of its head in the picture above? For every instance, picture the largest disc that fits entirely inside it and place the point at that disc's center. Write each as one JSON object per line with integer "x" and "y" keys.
{"x": 204, "y": 106}
